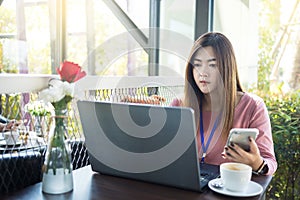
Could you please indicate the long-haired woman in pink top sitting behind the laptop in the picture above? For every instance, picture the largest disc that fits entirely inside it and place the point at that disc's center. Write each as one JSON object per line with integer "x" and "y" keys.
{"x": 213, "y": 90}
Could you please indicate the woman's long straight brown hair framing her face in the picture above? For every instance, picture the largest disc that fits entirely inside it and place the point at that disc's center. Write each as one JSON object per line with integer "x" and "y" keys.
{"x": 227, "y": 67}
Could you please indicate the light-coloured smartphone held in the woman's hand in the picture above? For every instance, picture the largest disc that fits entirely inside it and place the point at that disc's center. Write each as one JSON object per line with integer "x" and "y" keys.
{"x": 240, "y": 136}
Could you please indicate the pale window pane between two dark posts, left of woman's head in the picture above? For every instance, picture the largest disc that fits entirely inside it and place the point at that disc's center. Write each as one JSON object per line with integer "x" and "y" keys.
{"x": 177, "y": 22}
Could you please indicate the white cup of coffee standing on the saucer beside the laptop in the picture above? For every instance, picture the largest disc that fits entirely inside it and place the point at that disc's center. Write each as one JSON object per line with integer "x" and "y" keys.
{"x": 235, "y": 176}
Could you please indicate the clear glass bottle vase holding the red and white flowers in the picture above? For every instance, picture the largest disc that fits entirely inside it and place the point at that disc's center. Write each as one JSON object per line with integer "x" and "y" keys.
{"x": 57, "y": 168}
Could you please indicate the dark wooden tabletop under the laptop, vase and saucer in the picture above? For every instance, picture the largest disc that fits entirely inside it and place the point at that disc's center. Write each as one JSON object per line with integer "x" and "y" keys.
{"x": 91, "y": 185}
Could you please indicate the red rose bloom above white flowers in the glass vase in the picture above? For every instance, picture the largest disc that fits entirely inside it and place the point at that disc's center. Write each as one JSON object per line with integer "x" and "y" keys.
{"x": 70, "y": 72}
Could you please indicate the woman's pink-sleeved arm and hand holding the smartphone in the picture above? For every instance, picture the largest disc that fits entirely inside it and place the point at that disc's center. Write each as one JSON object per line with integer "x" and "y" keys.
{"x": 262, "y": 149}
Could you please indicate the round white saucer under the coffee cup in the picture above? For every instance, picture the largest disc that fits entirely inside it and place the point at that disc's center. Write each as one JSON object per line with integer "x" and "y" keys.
{"x": 252, "y": 190}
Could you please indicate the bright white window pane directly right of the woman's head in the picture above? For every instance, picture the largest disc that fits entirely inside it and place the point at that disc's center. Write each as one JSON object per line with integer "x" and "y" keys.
{"x": 238, "y": 20}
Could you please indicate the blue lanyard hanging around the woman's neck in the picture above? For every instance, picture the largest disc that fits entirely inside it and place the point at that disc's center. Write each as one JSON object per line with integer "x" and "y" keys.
{"x": 205, "y": 147}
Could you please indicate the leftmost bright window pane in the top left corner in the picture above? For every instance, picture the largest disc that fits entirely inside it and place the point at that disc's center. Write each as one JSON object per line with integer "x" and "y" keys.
{"x": 24, "y": 37}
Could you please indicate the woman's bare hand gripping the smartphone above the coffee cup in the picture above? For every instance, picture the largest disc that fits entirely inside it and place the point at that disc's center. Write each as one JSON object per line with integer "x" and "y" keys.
{"x": 235, "y": 153}
